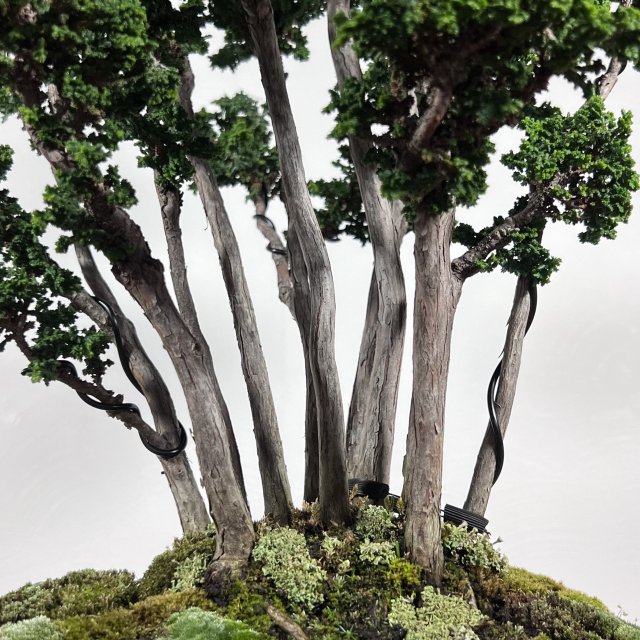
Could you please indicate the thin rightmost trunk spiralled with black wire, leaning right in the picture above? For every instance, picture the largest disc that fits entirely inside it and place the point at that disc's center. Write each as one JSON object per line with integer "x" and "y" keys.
{"x": 482, "y": 481}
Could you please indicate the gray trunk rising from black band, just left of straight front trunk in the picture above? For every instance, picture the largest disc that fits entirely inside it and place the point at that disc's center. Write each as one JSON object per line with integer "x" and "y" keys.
{"x": 372, "y": 413}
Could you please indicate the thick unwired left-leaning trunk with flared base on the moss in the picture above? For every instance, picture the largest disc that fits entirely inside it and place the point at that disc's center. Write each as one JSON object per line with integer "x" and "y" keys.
{"x": 143, "y": 277}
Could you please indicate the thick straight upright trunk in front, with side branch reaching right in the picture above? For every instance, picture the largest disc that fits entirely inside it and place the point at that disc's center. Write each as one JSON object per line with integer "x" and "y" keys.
{"x": 436, "y": 299}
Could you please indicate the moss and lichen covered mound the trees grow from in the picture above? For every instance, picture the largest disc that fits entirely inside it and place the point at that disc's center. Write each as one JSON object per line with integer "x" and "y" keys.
{"x": 305, "y": 582}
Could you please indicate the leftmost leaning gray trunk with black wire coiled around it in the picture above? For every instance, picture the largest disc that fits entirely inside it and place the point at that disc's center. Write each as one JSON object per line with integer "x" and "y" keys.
{"x": 182, "y": 482}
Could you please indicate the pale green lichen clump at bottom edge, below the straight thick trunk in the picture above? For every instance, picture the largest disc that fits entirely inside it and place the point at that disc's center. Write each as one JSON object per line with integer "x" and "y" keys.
{"x": 439, "y": 617}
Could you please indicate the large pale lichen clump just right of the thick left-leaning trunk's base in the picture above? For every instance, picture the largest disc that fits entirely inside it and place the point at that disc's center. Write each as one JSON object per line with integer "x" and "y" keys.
{"x": 285, "y": 560}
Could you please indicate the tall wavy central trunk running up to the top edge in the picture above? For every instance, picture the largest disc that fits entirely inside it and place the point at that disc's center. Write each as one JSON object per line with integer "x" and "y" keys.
{"x": 333, "y": 496}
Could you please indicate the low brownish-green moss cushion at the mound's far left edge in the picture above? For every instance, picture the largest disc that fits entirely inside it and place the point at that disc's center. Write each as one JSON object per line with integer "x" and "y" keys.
{"x": 77, "y": 593}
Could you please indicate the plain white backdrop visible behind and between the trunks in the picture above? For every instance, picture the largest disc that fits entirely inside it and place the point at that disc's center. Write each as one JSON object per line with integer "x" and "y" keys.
{"x": 78, "y": 490}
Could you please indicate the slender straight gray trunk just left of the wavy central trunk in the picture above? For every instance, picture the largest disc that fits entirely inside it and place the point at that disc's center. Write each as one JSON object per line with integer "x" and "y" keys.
{"x": 273, "y": 471}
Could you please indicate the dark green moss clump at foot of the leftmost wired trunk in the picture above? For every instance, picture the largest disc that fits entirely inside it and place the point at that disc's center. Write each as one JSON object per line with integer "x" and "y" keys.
{"x": 162, "y": 572}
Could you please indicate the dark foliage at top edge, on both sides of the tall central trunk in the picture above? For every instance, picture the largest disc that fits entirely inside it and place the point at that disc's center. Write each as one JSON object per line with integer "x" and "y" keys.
{"x": 290, "y": 17}
